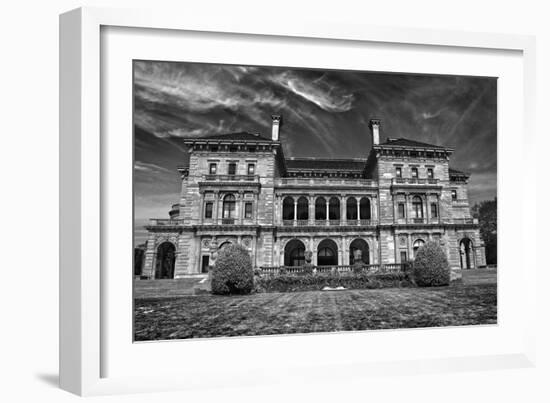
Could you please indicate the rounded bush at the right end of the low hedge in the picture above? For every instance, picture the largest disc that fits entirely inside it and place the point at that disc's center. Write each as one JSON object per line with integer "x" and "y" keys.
{"x": 430, "y": 267}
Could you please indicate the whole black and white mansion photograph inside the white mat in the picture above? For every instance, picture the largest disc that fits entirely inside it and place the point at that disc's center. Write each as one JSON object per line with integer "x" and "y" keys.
{"x": 272, "y": 200}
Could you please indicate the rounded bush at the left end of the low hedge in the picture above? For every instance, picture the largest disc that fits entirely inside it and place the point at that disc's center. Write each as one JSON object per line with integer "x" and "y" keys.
{"x": 232, "y": 273}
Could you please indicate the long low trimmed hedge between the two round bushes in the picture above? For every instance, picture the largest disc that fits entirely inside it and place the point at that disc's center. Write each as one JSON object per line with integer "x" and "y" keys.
{"x": 316, "y": 282}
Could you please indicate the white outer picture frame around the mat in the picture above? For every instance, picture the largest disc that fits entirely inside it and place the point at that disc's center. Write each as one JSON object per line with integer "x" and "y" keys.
{"x": 83, "y": 306}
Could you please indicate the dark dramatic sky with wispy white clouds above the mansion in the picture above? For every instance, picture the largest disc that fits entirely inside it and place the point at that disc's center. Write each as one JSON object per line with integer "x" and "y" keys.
{"x": 325, "y": 114}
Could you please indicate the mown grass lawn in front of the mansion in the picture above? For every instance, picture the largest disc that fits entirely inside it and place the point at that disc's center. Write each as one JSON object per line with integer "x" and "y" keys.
{"x": 471, "y": 303}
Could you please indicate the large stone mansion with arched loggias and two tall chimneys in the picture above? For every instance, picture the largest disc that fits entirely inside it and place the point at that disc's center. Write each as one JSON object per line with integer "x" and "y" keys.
{"x": 240, "y": 188}
